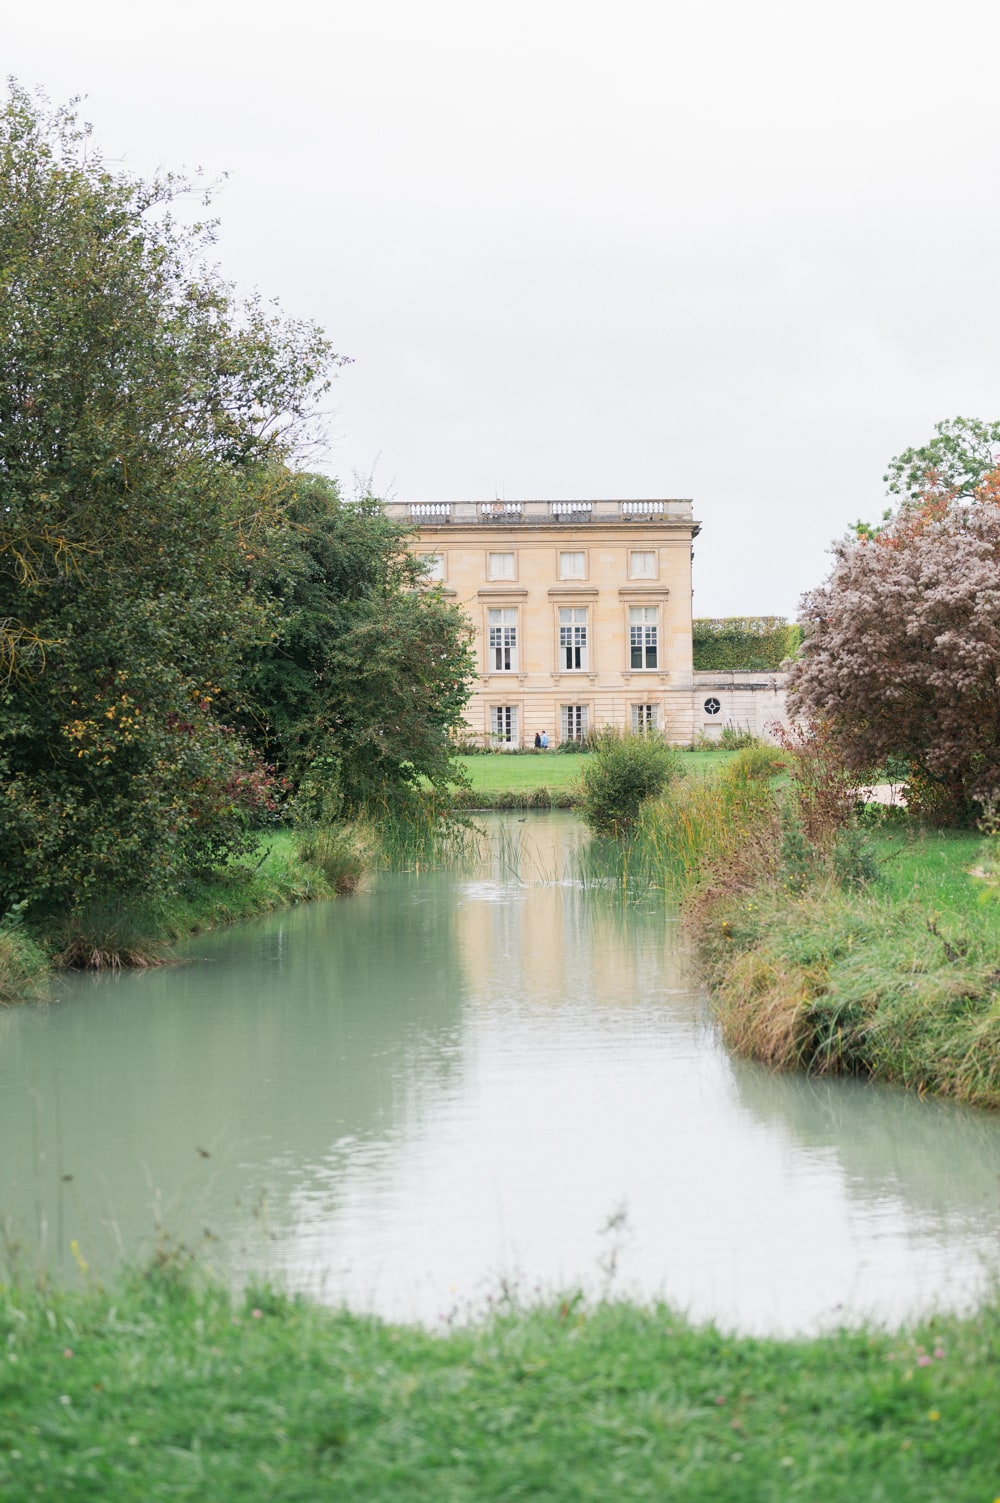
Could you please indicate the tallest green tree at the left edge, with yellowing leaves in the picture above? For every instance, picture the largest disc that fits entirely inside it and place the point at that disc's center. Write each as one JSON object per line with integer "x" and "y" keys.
{"x": 144, "y": 419}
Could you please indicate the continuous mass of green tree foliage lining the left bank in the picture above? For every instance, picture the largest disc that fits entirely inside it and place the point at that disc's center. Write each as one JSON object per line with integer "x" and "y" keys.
{"x": 165, "y": 576}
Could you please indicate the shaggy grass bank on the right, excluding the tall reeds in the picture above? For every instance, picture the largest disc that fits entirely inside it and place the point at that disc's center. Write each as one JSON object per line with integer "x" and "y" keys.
{"x": 897, "y": 979}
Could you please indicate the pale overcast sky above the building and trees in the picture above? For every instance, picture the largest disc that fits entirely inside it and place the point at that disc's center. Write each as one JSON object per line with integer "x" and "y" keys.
{"x": 735, "y": 252}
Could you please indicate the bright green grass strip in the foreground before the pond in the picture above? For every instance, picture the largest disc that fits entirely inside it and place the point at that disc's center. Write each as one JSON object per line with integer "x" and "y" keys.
{"x": 166, "y": 1388}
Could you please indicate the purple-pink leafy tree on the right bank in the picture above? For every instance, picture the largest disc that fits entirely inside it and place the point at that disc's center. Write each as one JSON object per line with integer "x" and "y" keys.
{"x": 902, "y": 655}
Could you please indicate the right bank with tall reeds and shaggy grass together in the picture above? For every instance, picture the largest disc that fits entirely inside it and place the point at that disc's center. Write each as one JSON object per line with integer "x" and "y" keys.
{"x": 867, "y": 952}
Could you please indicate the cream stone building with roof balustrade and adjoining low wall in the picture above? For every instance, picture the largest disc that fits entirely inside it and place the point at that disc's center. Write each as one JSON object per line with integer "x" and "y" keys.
{"x": 583, "y": 615}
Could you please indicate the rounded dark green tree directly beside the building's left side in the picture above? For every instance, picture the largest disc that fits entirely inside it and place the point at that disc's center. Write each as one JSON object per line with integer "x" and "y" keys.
{"x": 368, "y": 668}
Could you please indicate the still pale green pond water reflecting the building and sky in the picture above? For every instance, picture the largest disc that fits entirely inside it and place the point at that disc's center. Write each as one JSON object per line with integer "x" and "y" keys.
{"x": 459, "y": 1083}
